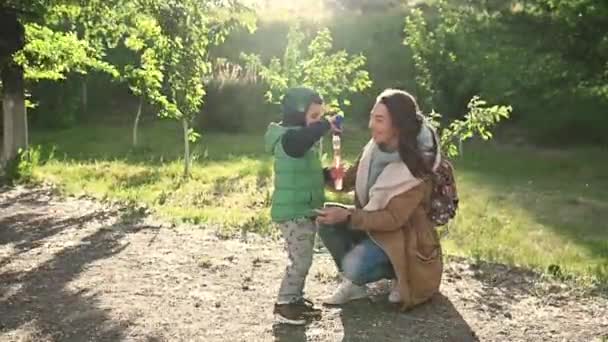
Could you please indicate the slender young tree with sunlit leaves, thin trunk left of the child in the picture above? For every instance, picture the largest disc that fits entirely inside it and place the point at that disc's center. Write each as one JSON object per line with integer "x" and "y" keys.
{"x": 190, "y": 27}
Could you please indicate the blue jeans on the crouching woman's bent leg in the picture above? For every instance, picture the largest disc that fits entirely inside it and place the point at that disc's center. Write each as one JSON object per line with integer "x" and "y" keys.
{"x": 355, "y": 254}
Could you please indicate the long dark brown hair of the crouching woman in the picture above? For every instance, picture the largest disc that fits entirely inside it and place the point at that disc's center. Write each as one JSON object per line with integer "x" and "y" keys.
{"x": 407, "y": 119}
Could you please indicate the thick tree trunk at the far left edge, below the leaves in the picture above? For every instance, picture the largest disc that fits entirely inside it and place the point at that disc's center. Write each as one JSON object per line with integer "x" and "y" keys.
{"x": 15, "y": 116}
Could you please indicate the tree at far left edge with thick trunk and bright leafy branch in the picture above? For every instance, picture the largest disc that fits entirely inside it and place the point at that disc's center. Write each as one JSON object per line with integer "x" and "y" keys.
{"x": 31, "y": 50}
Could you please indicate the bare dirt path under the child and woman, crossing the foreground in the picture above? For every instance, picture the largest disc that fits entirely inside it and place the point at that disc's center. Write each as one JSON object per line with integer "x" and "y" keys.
{"x": 70, "y": 270}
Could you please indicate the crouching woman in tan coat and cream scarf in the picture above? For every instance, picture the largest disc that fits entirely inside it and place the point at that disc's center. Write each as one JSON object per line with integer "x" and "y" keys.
{"x": 388, "y": 234}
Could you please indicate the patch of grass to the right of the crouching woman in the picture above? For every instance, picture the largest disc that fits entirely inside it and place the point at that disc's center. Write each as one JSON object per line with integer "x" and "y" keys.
{"x": 535, "y": 208}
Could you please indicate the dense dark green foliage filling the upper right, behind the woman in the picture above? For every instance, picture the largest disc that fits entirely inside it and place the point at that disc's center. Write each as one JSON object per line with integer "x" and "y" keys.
{"x": 500, "y": 52}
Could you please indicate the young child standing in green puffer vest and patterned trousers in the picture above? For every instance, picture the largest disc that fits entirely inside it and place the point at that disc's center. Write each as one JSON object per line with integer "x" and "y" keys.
{"x": 298, "y": 190}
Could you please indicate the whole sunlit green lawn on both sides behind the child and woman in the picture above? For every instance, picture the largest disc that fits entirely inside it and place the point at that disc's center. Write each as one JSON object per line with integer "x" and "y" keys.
{"x": 519, "y": 205}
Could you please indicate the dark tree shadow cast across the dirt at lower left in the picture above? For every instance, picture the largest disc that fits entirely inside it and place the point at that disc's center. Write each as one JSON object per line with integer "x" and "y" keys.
{"x": 37, "y": 299}
